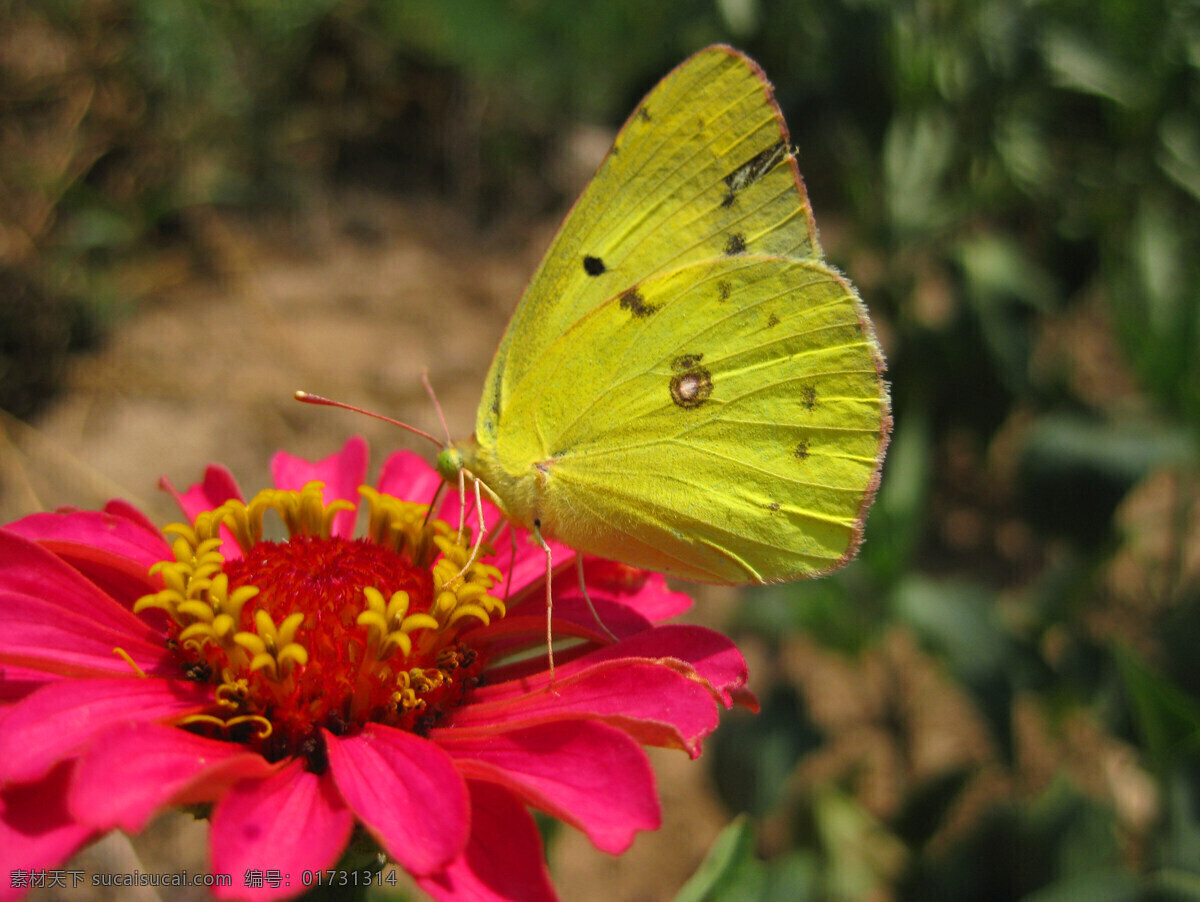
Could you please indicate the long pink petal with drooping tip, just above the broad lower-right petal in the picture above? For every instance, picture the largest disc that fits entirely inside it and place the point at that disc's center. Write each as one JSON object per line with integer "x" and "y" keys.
{"x": 656, "y": 705}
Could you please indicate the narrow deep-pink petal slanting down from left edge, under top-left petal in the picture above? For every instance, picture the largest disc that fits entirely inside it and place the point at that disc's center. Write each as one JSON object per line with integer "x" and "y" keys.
{"x": 29, "y": 569}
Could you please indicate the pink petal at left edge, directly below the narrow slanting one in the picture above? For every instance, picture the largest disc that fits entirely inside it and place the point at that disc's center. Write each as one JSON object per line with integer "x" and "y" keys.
{"x": 41, "y": 635}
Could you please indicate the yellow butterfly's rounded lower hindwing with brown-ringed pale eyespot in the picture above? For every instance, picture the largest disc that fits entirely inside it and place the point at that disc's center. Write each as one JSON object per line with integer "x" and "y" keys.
{"x": 722, "y": 423}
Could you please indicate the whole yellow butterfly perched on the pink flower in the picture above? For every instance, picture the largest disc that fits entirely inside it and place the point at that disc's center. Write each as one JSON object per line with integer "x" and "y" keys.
{"x": 687, "y": 387}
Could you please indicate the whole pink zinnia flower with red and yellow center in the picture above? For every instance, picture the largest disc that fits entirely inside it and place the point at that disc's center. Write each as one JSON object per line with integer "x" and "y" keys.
{"x": 308, "y": 685}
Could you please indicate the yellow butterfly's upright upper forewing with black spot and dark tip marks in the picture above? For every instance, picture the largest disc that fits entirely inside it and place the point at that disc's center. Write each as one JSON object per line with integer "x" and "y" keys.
{"x": 701, "y": 170}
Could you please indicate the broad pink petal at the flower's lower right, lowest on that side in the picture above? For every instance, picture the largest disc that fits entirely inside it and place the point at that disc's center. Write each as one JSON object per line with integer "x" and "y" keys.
{"x": 585, "y": 773}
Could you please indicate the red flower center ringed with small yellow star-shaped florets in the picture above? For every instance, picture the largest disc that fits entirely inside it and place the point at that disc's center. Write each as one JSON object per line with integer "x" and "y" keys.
{"x": 322, "y": 632}
